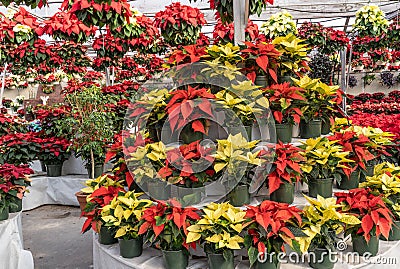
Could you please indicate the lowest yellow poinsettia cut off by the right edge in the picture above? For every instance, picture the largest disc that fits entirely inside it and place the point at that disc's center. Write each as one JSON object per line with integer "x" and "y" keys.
{"x": 385, "y": 182}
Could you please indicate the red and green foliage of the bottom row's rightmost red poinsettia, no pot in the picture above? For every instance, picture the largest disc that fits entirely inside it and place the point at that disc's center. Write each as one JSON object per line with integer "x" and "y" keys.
{"x": 370, "y": 209}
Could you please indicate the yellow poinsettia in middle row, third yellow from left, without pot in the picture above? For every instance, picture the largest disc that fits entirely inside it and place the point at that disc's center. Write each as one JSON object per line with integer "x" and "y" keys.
{"x": 324, "y": 159}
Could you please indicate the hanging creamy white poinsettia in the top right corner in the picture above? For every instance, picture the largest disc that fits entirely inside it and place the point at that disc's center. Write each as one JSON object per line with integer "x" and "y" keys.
{"x": 370, "y": 21}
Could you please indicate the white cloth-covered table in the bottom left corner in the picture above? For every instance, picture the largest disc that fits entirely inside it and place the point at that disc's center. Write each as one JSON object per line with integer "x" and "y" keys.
{"x": 12, "y": 254}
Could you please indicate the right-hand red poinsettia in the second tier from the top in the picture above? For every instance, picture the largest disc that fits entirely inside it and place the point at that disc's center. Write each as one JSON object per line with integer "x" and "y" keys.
{"x": 285, "y": 102}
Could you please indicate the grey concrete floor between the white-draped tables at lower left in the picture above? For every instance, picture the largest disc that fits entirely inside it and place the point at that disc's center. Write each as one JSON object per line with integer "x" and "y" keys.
{"x": 52, "y": 234}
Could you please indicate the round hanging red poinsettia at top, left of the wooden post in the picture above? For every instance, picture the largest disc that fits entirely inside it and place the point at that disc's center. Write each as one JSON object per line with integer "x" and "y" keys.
{"x": 180, "y": 24}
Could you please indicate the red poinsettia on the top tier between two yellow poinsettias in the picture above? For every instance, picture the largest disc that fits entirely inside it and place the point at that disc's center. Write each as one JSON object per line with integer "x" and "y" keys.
{"x": 261, "y": 59}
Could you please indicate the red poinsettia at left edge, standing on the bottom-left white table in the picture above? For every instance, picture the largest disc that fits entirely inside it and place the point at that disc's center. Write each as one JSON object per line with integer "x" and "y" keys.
{"x": 13, "y": 183}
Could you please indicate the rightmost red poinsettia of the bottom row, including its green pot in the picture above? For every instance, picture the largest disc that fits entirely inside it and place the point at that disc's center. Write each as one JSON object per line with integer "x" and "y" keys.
{"x": 376, "y": 219}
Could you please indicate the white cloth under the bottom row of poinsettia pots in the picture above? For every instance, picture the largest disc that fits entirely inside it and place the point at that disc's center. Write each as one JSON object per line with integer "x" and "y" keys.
{"x": 105, "y": 257}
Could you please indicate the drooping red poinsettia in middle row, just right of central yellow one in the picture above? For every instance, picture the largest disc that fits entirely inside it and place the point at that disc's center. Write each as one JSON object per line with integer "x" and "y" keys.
{"x": 286, "y": 166}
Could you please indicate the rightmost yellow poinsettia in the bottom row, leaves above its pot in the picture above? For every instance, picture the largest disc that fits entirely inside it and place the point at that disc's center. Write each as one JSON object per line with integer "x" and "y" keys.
{"x": 322, "y": 222}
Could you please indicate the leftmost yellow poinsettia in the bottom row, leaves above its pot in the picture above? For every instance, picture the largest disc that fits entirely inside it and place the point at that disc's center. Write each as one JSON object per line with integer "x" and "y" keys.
{"x": 124, "y": 214}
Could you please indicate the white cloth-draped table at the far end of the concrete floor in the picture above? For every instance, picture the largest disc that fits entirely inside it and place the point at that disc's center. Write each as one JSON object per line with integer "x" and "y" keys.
{"x": 53, "y": 190}
